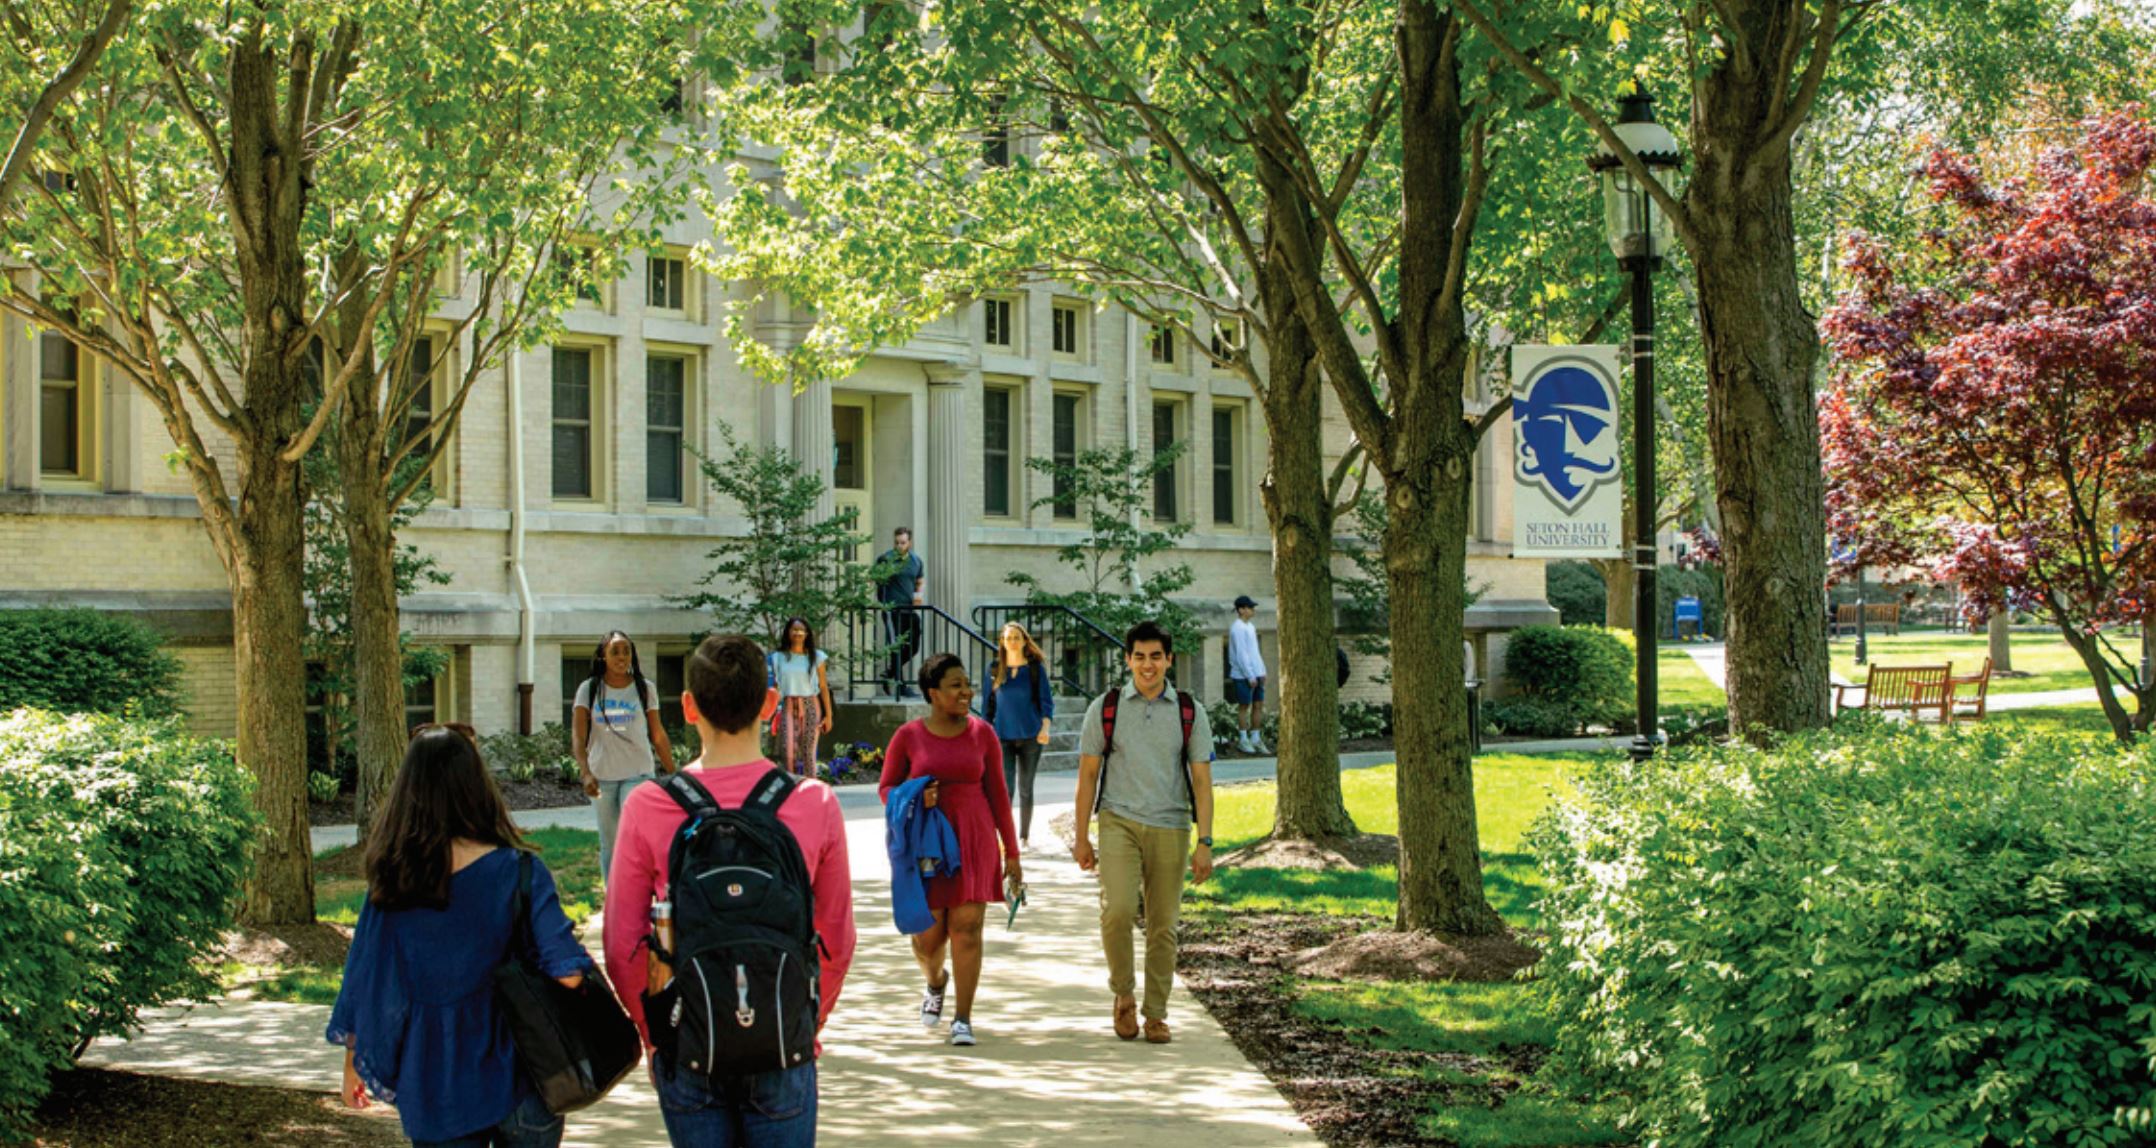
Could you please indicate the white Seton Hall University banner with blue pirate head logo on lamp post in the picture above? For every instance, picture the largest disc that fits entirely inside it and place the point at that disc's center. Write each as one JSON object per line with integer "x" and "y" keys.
{"x": 1566, "y": 465}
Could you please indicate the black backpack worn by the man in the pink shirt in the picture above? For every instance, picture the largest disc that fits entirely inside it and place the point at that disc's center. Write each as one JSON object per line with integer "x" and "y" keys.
{"x": 745, "y": 989}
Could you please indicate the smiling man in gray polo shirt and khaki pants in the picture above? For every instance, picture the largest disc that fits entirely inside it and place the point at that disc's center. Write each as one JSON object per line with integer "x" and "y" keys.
{"x": 1150, "y": 791}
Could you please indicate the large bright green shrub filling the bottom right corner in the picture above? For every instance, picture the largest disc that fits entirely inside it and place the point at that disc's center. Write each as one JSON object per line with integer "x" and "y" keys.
{"x": 1862, "y": 938}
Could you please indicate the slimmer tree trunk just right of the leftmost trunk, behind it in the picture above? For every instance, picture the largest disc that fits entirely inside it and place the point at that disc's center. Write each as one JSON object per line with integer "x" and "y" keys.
{"x": 376, "y": 648}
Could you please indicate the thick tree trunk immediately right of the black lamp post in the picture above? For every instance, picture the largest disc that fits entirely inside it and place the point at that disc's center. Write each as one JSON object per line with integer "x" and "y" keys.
{"x": 1763, "y": 422}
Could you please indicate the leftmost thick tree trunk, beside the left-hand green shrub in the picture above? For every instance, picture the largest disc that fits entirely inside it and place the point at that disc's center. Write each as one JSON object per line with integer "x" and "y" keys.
{"x": 271, "y": 676}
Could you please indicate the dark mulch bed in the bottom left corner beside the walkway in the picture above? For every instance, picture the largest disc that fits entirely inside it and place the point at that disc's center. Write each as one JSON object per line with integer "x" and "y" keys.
{"x": 96, "y": 1108}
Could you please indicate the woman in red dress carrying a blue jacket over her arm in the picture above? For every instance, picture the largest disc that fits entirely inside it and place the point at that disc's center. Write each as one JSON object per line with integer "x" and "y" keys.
{"x": 965, "y": 758}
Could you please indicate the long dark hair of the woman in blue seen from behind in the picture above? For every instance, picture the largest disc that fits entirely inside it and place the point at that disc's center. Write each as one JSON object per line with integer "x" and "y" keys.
{"x": 443, "y": 793}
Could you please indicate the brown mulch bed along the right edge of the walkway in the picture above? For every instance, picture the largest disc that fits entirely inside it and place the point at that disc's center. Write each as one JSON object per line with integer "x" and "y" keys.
{"x": 1349, "y": 1095}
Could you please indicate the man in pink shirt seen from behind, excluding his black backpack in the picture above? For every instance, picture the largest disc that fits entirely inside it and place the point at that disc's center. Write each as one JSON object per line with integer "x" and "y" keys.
{"x": 728, "y": 698}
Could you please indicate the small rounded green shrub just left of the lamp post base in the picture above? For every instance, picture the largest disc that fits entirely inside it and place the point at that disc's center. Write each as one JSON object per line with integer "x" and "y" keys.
{"x": 1579, "y": 670}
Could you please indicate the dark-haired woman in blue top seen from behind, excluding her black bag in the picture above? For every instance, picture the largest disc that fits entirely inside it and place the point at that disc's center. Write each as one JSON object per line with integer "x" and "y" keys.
{"x": 417, "y": 1009}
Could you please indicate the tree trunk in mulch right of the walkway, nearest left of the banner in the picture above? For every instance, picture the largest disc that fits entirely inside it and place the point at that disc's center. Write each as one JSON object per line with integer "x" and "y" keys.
{"x": 1426, "y": 569}
